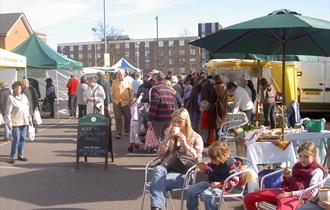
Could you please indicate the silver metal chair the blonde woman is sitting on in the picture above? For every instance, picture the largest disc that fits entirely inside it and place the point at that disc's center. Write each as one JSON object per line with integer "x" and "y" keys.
{"x": 188, "y": 180}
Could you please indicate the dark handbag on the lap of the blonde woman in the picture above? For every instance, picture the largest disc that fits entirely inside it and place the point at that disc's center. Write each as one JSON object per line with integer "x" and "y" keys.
{"x": 179, "y": 162}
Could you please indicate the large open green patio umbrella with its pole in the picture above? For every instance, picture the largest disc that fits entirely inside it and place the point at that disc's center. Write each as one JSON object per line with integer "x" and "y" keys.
{"x": 282, "y": 32}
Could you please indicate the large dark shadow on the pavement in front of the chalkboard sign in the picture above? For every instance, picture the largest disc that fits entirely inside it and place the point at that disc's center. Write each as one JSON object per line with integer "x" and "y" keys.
{"x": 58, "y": 185}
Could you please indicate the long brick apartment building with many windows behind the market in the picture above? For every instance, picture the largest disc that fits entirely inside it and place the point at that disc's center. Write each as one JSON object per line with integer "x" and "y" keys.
{"x": 174, "y": 54}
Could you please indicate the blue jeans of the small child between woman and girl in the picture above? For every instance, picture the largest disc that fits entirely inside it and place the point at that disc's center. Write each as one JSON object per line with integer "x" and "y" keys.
{"x": 209, "y": 195}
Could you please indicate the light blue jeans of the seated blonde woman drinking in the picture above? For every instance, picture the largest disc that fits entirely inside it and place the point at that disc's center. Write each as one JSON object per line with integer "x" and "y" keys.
{"x": 161, "y": 182}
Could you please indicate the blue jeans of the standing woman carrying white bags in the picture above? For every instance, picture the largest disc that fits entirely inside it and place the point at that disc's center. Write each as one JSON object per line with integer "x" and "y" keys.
{"x": 19, "y": 138}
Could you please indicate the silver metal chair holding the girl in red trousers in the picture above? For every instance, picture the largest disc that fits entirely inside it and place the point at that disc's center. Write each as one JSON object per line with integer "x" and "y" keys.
{"x": 301, "y": 200}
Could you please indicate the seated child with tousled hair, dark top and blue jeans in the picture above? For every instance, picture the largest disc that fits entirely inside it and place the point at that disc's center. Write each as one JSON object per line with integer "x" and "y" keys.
{"x": 221, "y": 166}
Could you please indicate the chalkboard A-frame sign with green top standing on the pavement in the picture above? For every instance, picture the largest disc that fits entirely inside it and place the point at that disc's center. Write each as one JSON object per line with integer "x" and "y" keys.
{"x": 93, "y": 138}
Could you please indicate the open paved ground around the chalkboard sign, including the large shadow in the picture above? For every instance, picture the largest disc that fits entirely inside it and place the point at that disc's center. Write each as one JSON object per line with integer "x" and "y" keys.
{"x": 49, "y": 179}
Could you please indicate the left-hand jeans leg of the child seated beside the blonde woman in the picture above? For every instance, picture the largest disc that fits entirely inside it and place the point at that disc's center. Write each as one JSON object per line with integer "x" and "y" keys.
{"x": 193, "y": 192}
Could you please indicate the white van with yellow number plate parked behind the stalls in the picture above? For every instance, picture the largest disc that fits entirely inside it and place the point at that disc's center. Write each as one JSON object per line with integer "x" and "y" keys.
{"x": 314, "y": 85}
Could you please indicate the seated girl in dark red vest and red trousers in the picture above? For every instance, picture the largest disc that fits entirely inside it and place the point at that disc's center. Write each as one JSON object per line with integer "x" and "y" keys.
{"x": 305, "y": 173}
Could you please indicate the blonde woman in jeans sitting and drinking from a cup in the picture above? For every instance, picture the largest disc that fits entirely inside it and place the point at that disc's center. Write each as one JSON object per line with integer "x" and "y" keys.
{"x": 189, "y": 142}
